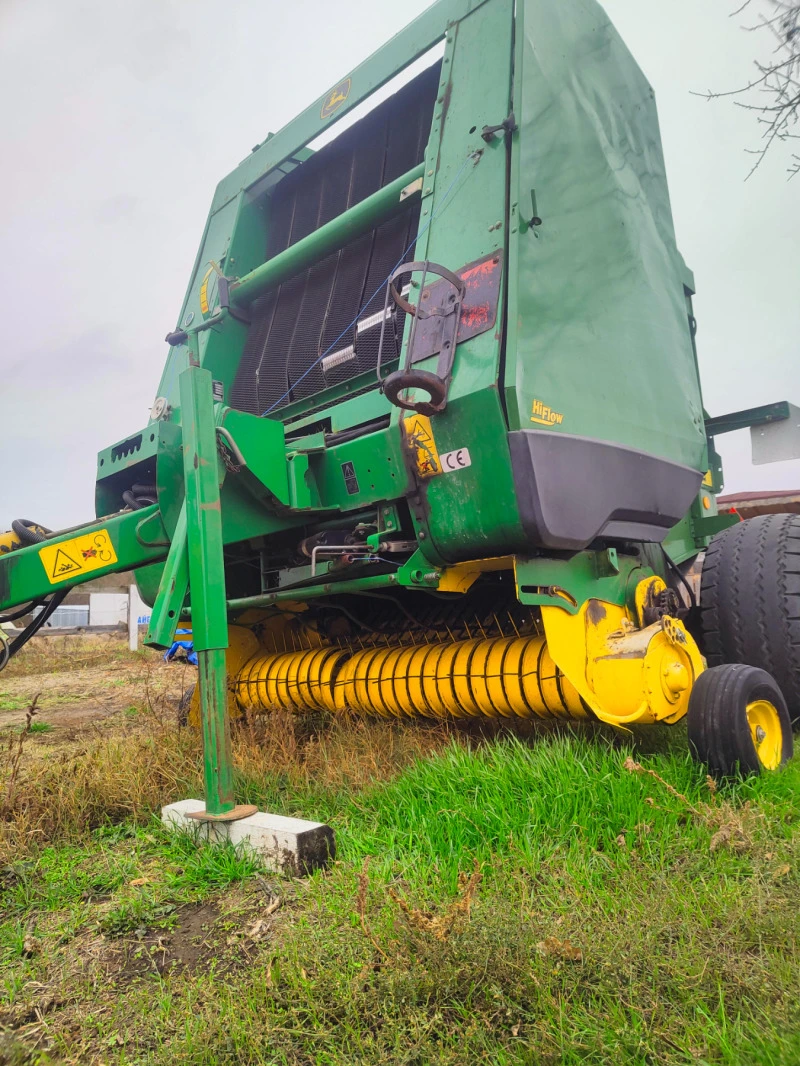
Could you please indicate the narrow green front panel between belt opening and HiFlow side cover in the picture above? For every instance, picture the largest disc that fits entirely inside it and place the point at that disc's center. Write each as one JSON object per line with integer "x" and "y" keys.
{"x": 471, "y": 513}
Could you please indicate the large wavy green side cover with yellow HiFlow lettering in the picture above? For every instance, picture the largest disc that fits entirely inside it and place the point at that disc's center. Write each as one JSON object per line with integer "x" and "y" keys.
{"x": 598, "y": 322}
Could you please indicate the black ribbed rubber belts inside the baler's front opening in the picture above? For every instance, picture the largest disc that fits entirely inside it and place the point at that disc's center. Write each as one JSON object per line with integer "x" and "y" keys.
{"x": 296, "y": 322}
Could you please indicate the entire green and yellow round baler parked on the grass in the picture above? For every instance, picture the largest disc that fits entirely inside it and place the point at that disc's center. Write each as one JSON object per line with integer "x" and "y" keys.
{"x": 430, "y": 440}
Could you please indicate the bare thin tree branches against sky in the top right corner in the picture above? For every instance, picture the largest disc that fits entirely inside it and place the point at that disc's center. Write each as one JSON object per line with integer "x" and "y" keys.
{"x": 775, "y": 94}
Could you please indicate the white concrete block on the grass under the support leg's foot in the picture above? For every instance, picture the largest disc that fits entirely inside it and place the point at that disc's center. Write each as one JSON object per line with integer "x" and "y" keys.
{"x": 286, "y": 845}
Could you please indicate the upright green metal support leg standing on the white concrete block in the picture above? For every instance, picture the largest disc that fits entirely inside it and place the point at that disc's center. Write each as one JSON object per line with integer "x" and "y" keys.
{"x": 207, "y": 584}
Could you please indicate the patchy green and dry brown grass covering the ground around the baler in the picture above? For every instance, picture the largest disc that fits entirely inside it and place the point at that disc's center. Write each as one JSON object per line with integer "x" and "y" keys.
{"x": 534, "y": 900}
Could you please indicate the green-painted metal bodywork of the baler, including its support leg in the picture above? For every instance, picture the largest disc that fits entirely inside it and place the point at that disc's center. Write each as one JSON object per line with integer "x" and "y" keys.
{"x": 594, "y": 322}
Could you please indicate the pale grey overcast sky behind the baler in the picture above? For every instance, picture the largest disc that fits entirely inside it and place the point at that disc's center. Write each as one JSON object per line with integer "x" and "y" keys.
{"x": 119, "y": 119}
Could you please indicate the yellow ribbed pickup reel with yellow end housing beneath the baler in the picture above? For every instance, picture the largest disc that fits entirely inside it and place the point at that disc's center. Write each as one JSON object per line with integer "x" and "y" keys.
{"x": 598, "y": 664}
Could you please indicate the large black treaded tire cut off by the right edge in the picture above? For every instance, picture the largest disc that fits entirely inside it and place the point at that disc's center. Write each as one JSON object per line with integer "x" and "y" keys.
{"x": 750, "y": 601}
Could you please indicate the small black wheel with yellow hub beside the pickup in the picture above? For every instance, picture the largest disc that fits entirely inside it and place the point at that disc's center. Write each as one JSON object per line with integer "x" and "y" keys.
{"x": 723, "y": 724}
